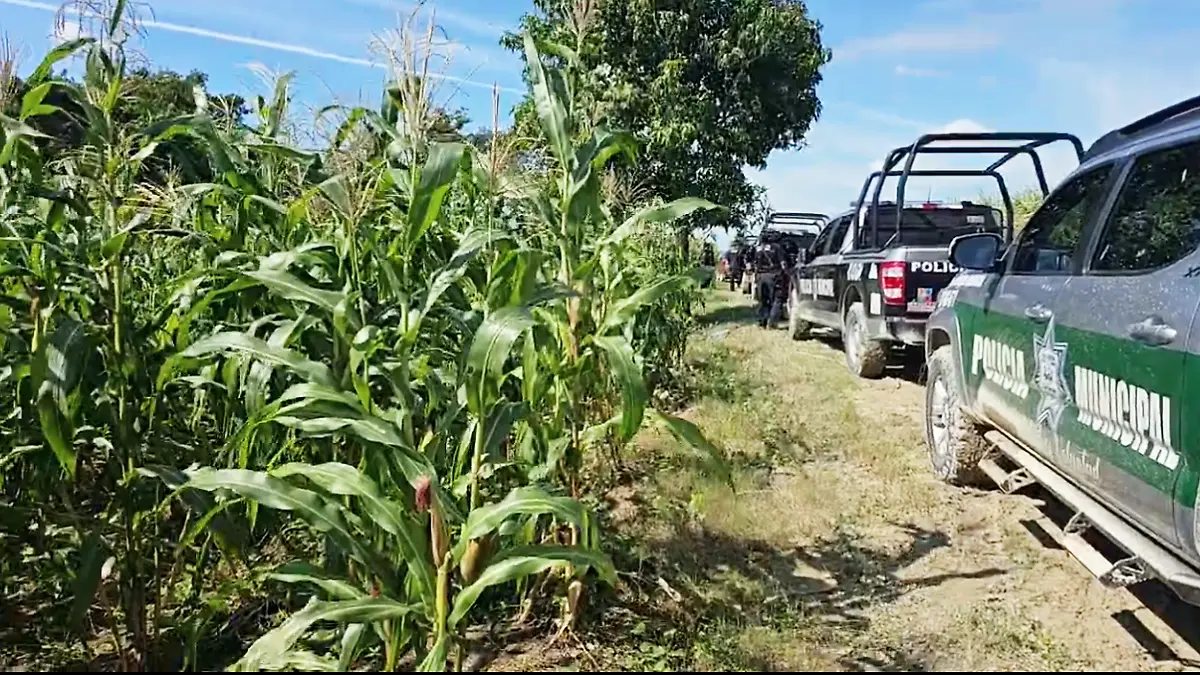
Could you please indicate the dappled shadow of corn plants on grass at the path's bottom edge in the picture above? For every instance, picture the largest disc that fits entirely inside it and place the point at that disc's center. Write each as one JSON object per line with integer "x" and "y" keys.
{"x": 693, "y": 588}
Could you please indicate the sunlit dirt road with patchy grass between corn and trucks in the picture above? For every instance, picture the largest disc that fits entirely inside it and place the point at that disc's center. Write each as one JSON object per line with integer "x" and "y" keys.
{"x": 841, "y": 552}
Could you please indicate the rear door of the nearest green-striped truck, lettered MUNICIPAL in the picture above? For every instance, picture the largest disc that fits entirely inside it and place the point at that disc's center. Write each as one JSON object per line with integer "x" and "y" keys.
{"x": 1126, "y": 327}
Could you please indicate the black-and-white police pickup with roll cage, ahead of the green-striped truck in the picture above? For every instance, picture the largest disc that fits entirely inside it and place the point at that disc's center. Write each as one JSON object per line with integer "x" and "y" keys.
{"x": 874, "y": 273}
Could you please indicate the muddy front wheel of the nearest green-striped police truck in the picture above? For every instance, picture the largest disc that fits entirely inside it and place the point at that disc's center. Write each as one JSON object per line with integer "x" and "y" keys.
{"x": 956, "y": 444}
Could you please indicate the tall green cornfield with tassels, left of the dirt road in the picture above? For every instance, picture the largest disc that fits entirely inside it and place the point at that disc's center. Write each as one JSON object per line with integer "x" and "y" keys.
{"x": 333, "y": 407}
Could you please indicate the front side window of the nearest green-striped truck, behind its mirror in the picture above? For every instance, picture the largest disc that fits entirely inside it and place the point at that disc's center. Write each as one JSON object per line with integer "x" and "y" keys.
{"x": 1048, "y": 243}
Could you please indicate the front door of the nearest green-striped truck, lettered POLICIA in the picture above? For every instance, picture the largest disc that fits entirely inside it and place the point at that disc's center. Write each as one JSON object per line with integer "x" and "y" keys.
{"x": 1015, "y": 315}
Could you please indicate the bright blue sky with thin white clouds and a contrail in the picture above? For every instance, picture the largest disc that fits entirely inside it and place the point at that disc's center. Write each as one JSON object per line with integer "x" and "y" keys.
{"x": 901, "y": 68}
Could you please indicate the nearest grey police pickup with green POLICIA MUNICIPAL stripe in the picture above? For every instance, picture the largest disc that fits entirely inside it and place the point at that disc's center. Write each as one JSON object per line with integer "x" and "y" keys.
{"x": 1070, "y": 357}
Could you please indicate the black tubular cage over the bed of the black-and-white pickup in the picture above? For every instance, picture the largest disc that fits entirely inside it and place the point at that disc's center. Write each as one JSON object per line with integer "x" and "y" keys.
{"x": 983, "y": 144}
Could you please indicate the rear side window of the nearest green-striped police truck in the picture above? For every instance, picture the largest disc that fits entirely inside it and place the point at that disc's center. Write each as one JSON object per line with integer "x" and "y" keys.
{"x": 1156, "y": 220}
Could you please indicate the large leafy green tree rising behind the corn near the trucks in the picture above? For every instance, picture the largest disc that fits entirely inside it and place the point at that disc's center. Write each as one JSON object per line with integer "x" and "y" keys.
{"x": 709, "y": 86}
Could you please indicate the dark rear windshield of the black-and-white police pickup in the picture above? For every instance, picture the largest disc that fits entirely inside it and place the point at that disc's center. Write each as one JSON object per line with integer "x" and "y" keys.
{"x": 931, "y": 228}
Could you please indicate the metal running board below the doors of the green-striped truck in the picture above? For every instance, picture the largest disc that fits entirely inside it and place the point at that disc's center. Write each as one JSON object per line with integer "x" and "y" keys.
{"x": 1148, "y": 559}
